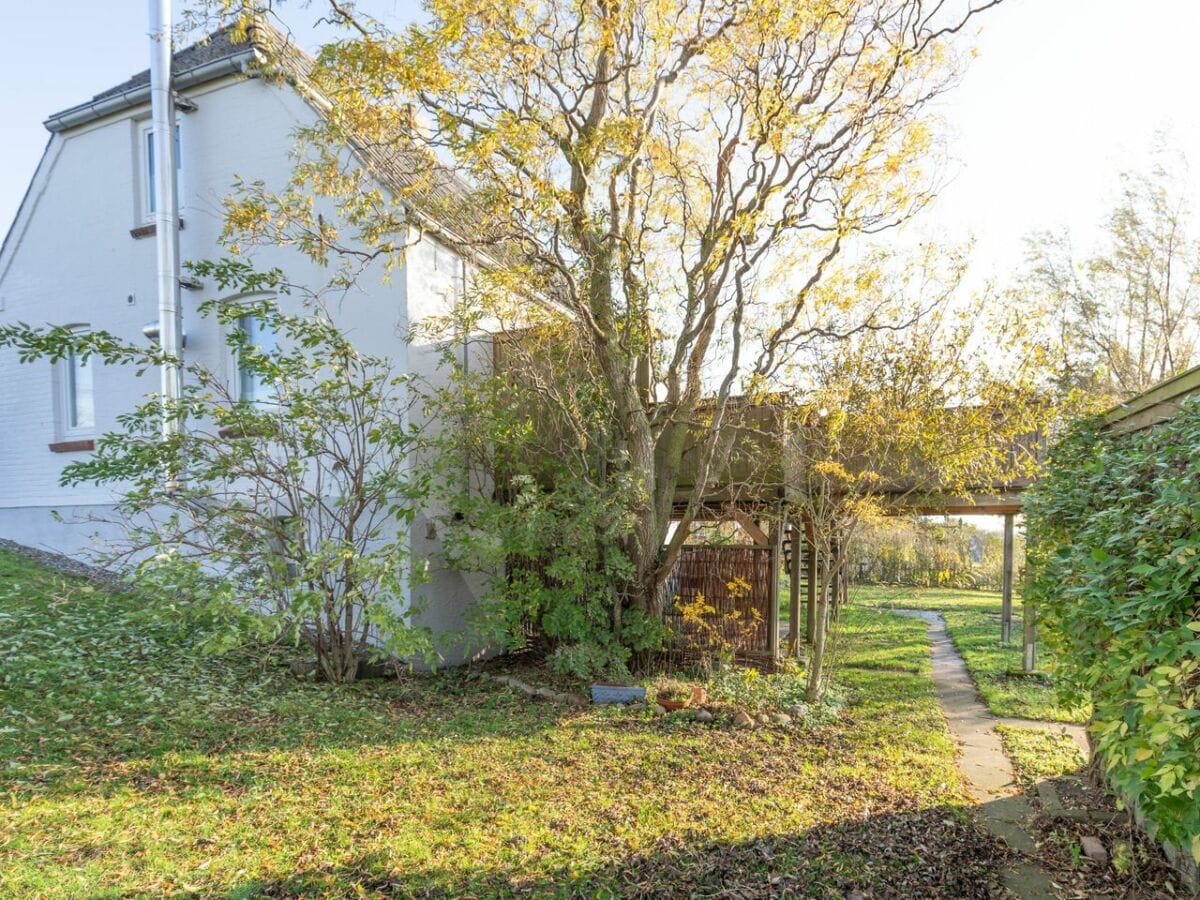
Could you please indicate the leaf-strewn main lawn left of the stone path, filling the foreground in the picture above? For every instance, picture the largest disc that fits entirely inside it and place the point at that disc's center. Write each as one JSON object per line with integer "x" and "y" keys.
{"x": 133, "y": 765}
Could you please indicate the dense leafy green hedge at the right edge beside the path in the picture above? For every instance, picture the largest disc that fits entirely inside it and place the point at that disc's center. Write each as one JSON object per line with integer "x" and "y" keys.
{"x": 1114, "y": 543}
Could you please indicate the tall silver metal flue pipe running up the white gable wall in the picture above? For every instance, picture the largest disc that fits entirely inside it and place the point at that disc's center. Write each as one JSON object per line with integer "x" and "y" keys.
{"x": 163, "y": 110}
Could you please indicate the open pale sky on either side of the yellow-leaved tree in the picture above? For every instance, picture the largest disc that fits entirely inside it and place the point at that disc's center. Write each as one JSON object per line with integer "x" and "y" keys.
{"x": 1064, "y": 95}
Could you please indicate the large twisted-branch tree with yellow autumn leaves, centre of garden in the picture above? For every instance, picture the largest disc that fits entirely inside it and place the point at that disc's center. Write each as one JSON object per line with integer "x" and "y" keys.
{"x": 675, "y": 176}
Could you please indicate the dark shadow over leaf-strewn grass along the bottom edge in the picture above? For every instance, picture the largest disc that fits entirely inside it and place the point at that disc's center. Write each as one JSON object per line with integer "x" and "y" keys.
{"x": 931, "y": 854}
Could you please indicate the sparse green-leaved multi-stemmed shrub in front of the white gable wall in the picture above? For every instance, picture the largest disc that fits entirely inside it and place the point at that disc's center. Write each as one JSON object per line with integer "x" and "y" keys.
{"x": 280, "y": 515}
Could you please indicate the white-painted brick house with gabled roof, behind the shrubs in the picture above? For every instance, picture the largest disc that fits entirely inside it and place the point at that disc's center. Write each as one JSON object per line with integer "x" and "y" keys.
{"x": 81, "y": 253}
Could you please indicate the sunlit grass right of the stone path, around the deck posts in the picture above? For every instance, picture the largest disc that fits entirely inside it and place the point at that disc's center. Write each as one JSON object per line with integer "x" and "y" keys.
{"x": 973, "y": 619}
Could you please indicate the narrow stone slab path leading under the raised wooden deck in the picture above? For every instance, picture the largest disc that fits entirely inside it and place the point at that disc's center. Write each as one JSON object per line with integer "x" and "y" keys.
{"x": 1001, "y": 808}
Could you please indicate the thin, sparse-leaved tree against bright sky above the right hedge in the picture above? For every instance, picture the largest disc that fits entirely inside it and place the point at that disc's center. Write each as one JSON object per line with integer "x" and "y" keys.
{"x": 1129, "y": 316}
